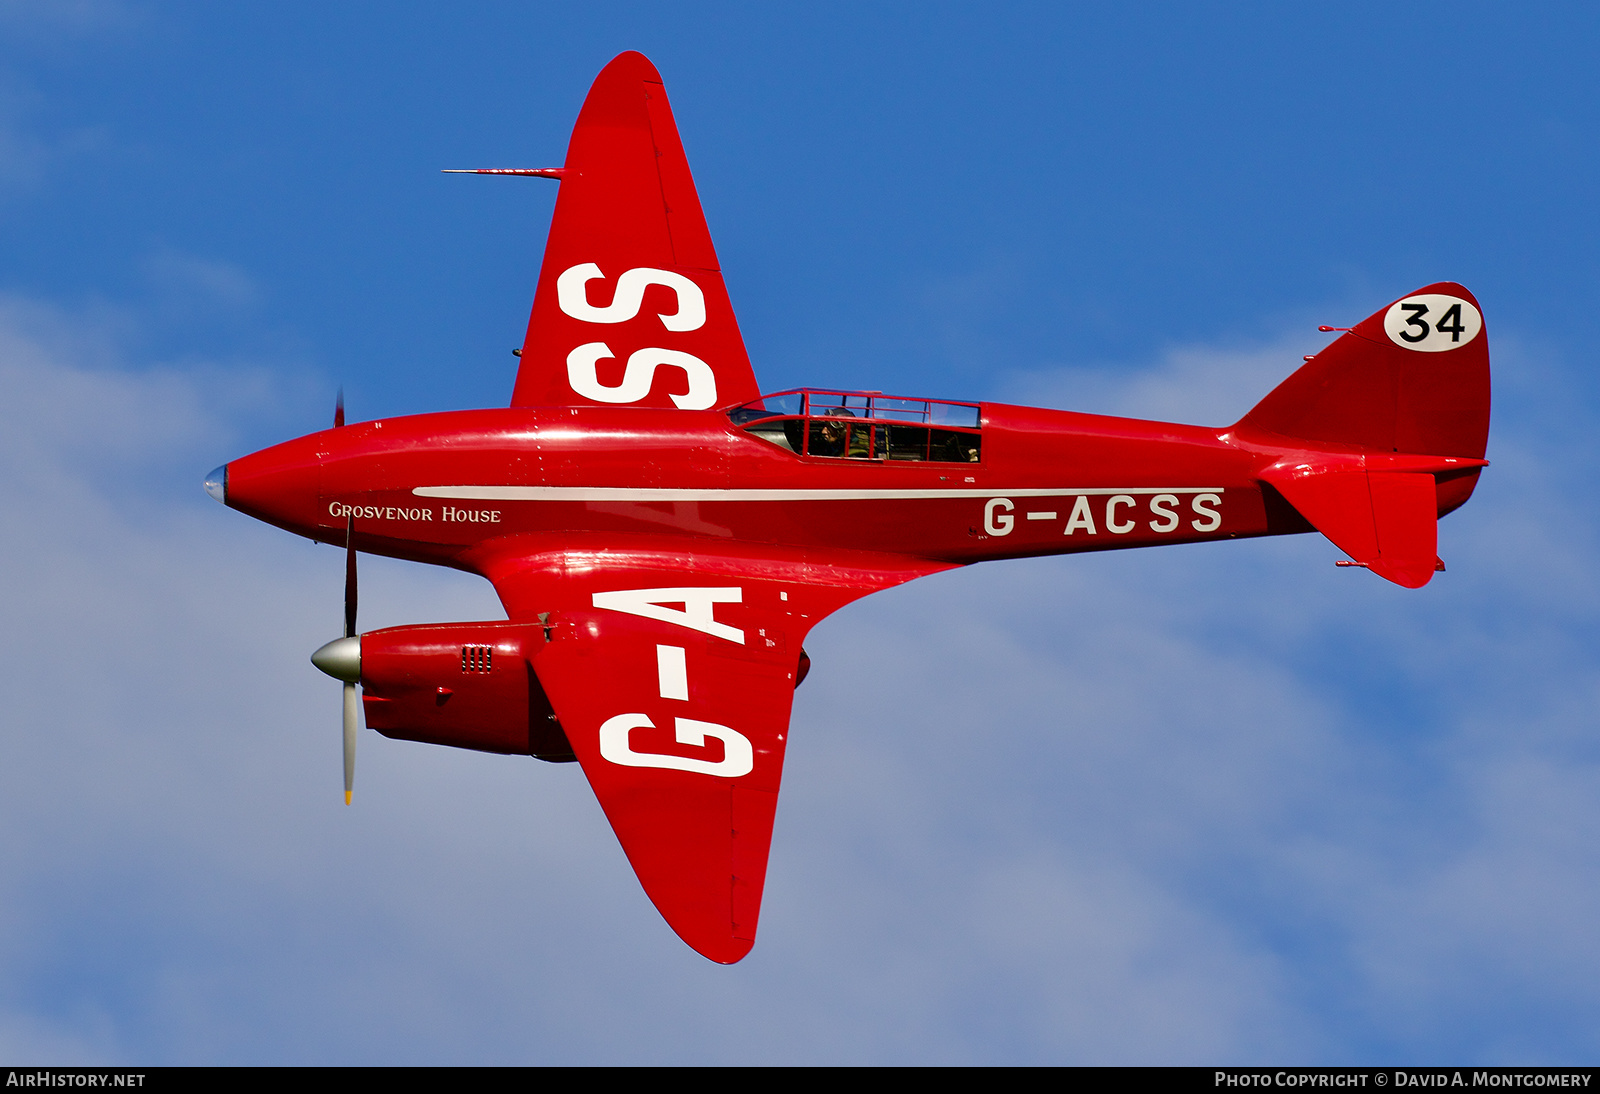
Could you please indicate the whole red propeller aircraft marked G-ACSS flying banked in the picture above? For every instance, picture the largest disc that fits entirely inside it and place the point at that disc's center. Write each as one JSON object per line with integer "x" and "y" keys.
{"x": 665, "y": 537}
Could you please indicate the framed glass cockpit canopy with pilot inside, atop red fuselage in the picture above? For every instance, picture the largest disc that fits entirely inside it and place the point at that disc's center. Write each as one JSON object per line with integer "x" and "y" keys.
{"x": 865, "y": 426}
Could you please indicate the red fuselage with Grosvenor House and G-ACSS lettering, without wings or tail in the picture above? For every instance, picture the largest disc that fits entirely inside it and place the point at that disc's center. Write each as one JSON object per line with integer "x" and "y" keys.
{"x": 438, "y": 487}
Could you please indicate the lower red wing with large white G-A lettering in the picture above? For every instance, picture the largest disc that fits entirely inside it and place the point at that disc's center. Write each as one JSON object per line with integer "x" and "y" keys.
{"x": 673, "y": 674}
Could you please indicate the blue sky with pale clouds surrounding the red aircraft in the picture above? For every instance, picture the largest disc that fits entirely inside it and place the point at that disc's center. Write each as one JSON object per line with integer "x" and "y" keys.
{"x": 1217, "y": 804}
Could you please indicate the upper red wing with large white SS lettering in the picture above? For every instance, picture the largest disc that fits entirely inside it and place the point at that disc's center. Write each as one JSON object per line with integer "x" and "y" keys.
{"x": 631, "y": 308}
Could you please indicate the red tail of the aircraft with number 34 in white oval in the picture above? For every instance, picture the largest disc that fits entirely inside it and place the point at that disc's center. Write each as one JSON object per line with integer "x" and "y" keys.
{"x": 1386, "y": 431}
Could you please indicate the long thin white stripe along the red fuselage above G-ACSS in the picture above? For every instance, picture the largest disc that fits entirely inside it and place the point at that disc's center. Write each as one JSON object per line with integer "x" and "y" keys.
{"x": 666, "y": 495}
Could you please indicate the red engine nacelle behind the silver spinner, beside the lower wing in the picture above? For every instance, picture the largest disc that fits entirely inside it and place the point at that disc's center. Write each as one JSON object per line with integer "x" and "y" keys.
{"x": 465, "y": 685}
